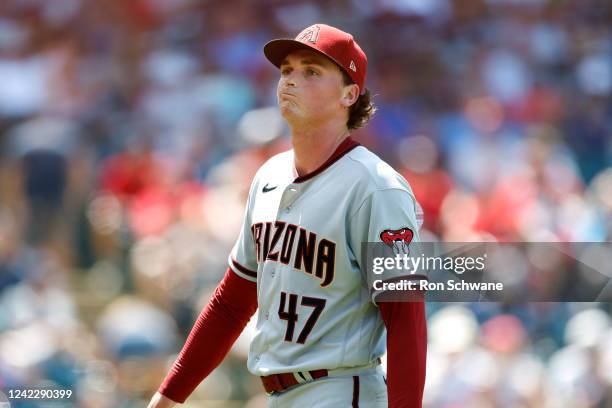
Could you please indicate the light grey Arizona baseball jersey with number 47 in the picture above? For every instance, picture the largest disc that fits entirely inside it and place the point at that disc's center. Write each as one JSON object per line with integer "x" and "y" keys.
{"x": 301, "y": 242}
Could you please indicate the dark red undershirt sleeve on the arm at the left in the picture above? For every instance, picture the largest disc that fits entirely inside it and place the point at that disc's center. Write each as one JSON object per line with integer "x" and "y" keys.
{"x": 212, "y": 336}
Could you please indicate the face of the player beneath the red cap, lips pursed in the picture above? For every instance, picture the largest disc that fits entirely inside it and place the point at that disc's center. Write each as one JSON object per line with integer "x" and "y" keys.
{"x": 311, "y": 88}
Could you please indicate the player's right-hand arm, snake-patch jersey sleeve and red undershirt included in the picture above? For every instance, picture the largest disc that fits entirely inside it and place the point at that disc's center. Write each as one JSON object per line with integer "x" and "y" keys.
{"x": 394, "y": 210}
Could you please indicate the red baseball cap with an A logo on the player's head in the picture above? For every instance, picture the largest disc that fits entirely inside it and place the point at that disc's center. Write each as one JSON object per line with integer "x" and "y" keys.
{"x": 329, "y": 41}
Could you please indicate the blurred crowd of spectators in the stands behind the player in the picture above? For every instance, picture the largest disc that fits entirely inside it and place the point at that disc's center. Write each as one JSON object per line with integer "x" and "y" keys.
{"x": 130, "y": 131}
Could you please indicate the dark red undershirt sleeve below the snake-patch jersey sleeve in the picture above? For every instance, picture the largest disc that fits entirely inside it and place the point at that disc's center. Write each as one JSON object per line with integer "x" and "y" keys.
{"x": 406, "y": 352}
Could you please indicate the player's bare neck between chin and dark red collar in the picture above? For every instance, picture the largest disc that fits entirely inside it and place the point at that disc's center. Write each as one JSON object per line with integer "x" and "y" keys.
{"x": 312, "y": 147}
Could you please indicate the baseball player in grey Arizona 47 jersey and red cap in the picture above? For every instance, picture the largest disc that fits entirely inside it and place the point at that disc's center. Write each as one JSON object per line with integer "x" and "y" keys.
{"x": 297, "y": 261}
